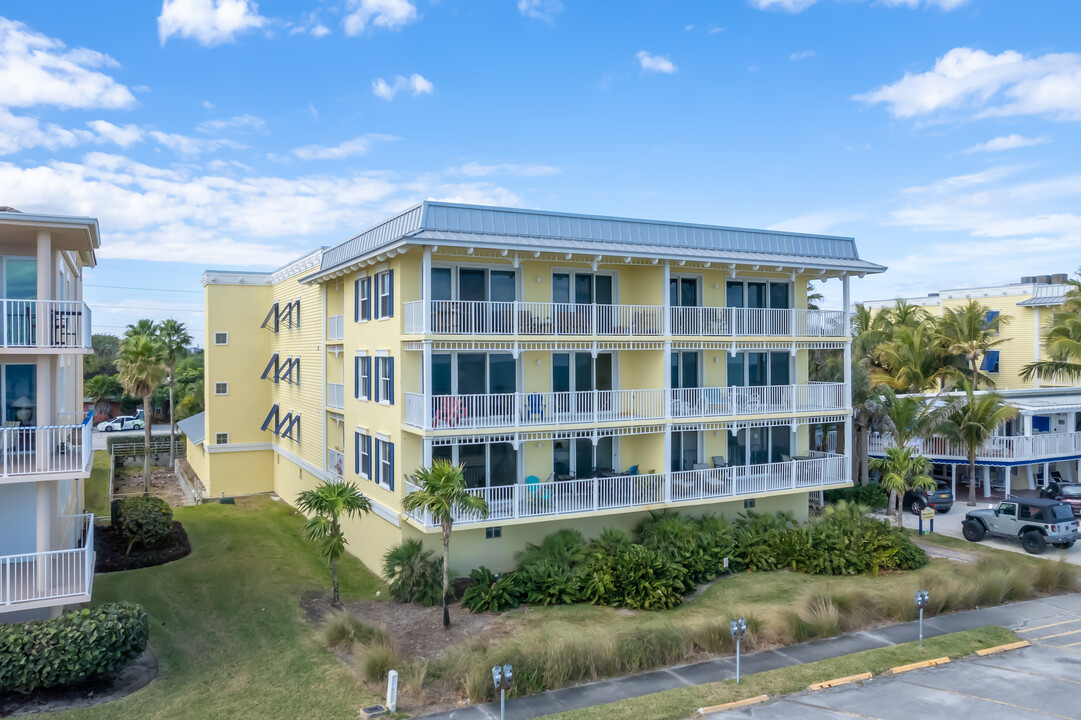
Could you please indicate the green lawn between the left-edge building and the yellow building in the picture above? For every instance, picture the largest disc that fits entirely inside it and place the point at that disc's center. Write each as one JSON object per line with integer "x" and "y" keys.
{"x": 226, "y": 623}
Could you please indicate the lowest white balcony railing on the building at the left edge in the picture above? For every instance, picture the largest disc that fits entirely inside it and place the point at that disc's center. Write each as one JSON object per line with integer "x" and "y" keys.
{"x": 39, "y": 578}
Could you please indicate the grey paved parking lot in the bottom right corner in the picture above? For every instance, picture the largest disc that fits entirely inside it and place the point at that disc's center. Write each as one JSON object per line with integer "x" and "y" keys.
{"x": 1036, "y": 683}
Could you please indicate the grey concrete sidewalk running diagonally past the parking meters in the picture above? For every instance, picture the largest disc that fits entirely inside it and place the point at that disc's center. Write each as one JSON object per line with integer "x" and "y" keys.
{"x": 1017, "y": 617}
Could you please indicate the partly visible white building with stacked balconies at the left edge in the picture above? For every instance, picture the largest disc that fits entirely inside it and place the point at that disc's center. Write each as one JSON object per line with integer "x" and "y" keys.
{"x": 47, "y": 559}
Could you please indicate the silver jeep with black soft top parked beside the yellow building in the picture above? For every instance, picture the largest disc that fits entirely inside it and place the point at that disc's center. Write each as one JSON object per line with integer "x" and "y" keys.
{"x": 1035, "y": 522}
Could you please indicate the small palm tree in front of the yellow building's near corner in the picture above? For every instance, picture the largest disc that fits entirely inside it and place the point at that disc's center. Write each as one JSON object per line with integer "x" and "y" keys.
{"x": 443, "y": 495}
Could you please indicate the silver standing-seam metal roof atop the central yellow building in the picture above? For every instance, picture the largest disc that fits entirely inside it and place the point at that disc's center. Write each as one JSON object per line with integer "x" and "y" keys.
{"x": 505, "y": 228}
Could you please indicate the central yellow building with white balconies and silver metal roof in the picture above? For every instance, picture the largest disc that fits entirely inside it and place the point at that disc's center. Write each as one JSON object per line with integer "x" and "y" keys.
{"x": 584, "y": 370}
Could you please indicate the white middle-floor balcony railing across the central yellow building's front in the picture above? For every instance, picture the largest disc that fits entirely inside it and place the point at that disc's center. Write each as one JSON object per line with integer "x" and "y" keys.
{"x": 593, "y": 407}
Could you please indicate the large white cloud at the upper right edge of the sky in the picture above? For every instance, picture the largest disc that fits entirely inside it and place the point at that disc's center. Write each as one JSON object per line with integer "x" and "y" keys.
{"x": 987, "y": 86}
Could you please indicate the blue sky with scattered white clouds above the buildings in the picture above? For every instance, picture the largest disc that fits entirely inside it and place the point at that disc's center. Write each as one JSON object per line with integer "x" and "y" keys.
{"x": 942, "y": 135}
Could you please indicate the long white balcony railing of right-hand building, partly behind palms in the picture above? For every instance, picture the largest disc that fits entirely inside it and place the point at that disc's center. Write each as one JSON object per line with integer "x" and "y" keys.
{"x": 1032, "y": 448}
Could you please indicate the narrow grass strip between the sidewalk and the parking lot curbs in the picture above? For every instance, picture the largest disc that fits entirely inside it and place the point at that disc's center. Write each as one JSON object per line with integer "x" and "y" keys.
{"x": 685, "y": 702}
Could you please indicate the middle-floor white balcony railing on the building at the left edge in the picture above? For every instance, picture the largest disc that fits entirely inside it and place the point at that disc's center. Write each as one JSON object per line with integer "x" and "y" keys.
{"x": 48, "y": 450}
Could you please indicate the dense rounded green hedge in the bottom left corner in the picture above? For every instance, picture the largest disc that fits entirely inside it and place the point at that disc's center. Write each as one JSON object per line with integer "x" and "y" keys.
{"x": 73, "y": 648}
